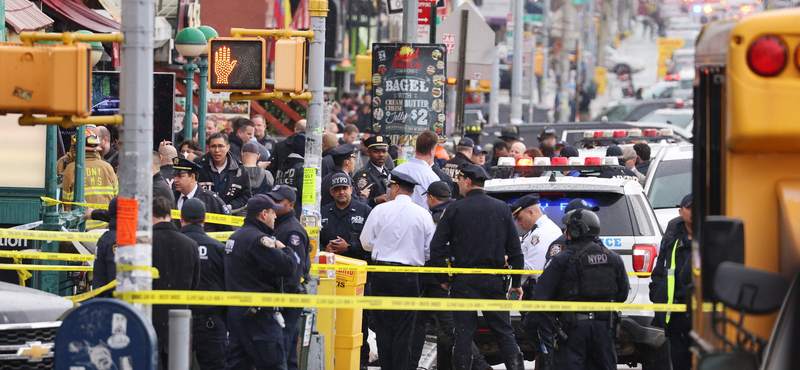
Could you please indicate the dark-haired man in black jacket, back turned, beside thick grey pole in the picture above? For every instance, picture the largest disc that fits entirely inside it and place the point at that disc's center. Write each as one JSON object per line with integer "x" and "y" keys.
{"x": 178, "y": 263}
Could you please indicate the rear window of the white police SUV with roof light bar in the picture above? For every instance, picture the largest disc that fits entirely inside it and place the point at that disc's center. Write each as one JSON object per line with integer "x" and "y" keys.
{"x": 614, "y": 213}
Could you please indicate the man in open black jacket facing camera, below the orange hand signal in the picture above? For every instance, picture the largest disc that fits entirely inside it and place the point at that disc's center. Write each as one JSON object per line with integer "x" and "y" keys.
{"x": 223, "y": 174}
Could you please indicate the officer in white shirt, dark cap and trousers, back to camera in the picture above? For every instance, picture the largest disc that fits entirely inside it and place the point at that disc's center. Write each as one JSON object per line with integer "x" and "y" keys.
{"x": 398, "y": 233}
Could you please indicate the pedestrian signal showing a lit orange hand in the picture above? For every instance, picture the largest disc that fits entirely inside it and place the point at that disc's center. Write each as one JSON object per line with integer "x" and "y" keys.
{"x": 236, "y": 64}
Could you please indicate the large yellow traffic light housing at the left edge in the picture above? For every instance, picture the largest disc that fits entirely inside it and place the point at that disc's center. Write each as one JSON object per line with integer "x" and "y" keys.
{"x": 52, "y": 79}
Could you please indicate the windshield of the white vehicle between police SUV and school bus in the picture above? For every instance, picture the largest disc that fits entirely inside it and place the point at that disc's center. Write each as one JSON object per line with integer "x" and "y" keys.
{"x": 671, "y": 182}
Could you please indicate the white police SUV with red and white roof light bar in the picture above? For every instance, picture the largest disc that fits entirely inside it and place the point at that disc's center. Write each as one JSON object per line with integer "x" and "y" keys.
{"x": 629, "y": 227}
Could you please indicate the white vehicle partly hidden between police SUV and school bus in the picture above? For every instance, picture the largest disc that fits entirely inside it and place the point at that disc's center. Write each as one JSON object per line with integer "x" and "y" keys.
{"x": 669, "y": 179}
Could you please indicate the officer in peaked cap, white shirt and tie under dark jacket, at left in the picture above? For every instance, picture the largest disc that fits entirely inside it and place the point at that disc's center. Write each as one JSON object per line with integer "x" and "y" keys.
{"x": 186, "y": 187}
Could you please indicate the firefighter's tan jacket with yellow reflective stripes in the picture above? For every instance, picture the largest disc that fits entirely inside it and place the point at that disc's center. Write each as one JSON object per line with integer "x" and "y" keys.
{"x": 100, "y": 184}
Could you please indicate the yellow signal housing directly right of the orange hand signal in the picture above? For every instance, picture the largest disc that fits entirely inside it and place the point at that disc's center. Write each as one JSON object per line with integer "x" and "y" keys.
{"x": 290, "y": 65}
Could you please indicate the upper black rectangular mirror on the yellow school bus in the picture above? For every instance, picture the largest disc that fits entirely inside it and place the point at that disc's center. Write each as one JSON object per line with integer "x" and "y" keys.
{"x": 722, "y": 241}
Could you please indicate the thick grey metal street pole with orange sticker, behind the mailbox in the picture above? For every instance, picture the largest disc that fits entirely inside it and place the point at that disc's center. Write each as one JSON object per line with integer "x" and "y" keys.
{"x": 136, "y": 139}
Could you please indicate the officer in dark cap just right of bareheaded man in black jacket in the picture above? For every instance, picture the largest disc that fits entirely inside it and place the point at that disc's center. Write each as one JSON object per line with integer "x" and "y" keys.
{"x": 210, "y": 335}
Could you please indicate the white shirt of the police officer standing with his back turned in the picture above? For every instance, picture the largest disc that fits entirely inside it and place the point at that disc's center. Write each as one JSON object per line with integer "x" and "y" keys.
{"x": 399, "y": 231}
